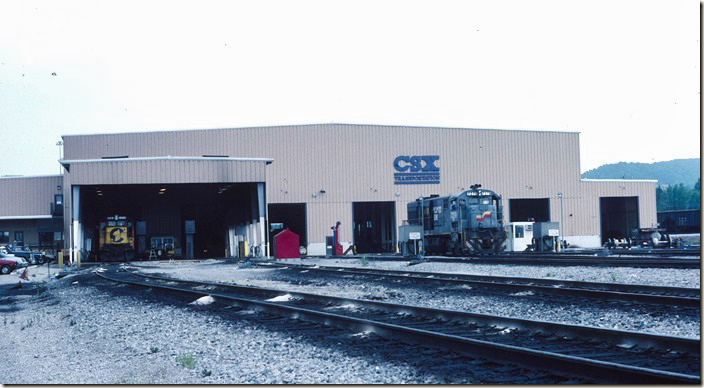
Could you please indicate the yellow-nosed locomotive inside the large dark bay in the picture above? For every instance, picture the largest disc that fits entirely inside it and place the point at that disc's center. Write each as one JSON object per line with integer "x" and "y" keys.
{"x": 116, "y": 239}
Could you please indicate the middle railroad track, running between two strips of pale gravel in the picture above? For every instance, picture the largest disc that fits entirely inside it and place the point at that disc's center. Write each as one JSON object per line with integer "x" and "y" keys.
{"x": 688, "y": 297}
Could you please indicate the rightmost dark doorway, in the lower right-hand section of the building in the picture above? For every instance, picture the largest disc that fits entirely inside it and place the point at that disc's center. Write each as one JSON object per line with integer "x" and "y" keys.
{"x": 619, "y": 216}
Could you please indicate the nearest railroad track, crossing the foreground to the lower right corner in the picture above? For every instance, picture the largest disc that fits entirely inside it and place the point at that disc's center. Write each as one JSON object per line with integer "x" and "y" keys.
{"x": 599, "y": 355}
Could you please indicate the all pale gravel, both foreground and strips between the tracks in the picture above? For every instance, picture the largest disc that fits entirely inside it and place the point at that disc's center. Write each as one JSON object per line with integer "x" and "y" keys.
{"x": 77, "y": 331}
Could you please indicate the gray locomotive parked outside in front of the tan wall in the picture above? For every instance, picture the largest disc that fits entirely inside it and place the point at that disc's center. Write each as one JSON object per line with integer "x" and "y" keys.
{"x": 470, "y": 222}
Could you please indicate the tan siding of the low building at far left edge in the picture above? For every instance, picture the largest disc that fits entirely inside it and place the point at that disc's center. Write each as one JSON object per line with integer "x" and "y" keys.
{"x": 28, "y": 196}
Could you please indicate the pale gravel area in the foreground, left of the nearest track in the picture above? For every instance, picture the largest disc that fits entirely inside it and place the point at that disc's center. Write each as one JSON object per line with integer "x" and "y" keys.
{"x": 79, "y": 335}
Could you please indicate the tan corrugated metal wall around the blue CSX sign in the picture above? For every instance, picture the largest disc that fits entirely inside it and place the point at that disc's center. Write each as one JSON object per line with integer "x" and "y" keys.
{"x": 354, "y": 163}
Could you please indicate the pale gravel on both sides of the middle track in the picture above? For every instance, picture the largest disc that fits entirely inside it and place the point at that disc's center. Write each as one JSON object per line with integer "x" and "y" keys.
{"x": 517, "y": 306}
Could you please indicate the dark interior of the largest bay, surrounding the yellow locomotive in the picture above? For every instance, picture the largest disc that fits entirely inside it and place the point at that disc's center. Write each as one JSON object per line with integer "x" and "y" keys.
{"x": 163, "y": 209}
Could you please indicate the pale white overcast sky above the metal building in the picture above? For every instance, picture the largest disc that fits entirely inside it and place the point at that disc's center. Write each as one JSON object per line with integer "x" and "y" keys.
{"x": 625, "y": 74}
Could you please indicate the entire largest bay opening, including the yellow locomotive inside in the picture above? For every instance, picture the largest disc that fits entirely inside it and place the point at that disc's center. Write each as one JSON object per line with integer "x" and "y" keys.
{"x": 161, "y": 215}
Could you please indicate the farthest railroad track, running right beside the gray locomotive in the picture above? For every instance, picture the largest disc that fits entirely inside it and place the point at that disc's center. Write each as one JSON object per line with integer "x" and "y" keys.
{"x": 552, "y": 260}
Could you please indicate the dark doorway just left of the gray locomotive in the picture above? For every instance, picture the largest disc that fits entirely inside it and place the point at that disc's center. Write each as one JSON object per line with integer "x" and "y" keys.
{"x": 374, "y": 227}
